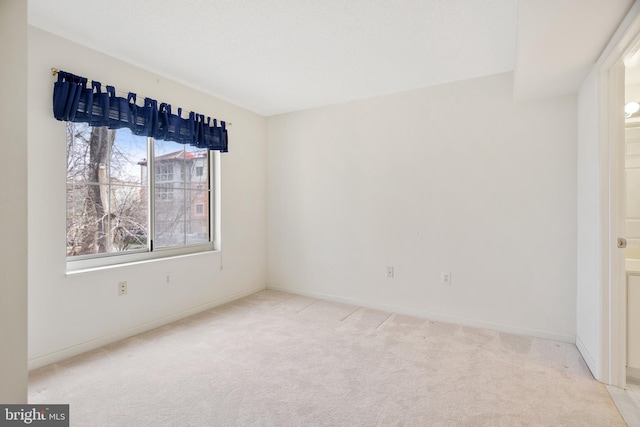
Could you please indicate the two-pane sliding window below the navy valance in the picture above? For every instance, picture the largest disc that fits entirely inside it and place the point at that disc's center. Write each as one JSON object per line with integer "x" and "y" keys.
{"x": 119, "y": 212}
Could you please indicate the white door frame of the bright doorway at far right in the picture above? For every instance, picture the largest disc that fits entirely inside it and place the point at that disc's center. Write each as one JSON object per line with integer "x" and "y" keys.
{"x": 611, "y": 89}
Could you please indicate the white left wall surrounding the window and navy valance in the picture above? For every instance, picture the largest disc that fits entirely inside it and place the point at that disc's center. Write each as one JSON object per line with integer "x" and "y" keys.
{"x": 72, "y": 313}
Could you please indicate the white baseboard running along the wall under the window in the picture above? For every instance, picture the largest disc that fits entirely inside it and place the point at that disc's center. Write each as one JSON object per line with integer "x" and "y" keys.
{"x": 68, "y": 352}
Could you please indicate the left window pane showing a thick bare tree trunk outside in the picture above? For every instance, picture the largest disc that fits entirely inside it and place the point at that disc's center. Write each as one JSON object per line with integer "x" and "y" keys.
{"x": 106, "y": 190}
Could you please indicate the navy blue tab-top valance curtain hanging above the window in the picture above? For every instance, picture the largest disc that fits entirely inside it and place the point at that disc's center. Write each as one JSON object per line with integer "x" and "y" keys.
{"x": 75, "y": 101}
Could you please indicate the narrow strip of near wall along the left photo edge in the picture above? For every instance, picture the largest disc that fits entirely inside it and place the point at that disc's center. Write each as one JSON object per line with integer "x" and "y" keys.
{"x": 13, "y": 202}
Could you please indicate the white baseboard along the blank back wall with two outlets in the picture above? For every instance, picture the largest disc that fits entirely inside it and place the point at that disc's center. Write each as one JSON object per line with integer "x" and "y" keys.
{"x": 440, "y": 317}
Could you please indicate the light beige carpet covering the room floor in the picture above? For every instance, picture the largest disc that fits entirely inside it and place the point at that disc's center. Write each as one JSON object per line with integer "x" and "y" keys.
{"x": 276, "y": 359}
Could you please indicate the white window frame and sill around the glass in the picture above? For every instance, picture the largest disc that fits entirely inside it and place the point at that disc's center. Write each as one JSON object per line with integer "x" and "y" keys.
{"x": 79, "y": 263}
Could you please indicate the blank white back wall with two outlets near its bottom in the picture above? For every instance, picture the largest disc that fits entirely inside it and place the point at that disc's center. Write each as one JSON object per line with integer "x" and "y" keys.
{"x": 455, "y": 178}
